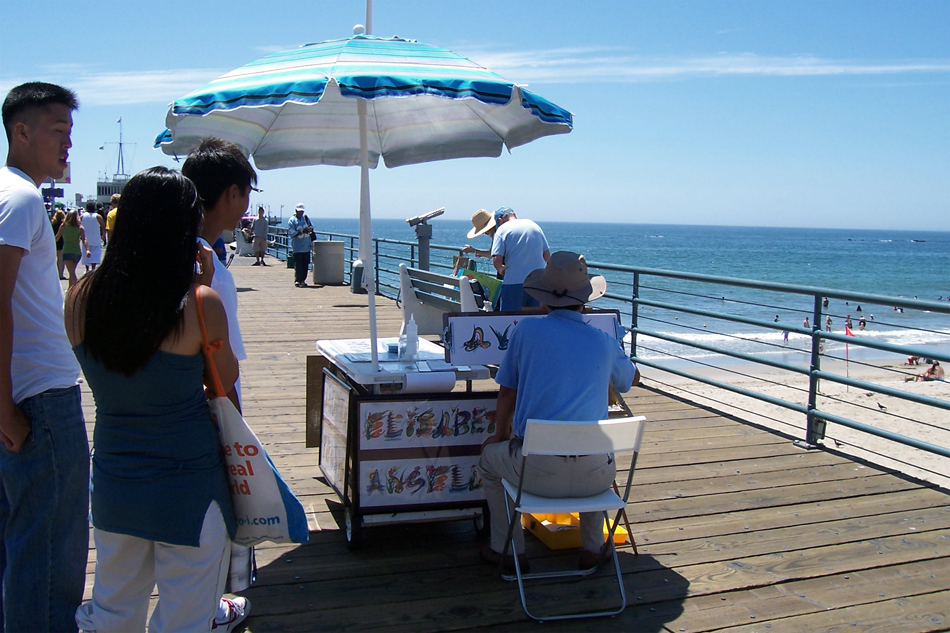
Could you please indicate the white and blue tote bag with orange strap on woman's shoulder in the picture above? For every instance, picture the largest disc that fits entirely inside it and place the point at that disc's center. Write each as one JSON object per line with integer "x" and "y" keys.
{"x": 264, "y": 506}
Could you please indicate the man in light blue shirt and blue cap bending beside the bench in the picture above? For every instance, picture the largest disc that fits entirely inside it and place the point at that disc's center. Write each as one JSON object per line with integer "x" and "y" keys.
{"x": 518, "y": 248}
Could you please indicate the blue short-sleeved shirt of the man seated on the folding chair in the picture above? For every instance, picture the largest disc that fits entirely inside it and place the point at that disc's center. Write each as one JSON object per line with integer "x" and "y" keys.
{"x": 561, "y": 368}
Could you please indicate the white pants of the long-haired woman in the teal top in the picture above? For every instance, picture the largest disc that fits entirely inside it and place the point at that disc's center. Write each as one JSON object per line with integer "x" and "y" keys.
{"x": 190, "y": 581}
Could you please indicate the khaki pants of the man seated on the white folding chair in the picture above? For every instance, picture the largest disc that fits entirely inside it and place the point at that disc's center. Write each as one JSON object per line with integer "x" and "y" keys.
{"x": 548, "y": 476}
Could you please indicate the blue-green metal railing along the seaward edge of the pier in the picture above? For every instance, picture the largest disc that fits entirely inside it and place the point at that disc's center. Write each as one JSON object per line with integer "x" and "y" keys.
{"x": 714, "y": 330}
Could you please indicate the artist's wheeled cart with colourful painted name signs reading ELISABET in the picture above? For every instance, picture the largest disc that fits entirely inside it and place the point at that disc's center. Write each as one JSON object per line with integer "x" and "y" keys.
{"x": 401, "y": 444}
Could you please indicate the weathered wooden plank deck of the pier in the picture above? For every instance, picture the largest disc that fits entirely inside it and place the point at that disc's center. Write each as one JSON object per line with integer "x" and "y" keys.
{"x": 738, "y": 530}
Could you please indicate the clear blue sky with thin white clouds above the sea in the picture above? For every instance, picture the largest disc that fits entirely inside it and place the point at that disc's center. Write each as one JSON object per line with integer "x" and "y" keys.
{"x": 804, "y": 114}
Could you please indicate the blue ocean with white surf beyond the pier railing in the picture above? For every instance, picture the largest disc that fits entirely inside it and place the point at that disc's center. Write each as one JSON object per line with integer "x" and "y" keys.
{"x": 908, "y": 264}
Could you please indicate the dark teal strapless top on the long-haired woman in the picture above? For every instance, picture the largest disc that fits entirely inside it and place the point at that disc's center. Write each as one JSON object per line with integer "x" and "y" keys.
{"x": 157, "y": 463}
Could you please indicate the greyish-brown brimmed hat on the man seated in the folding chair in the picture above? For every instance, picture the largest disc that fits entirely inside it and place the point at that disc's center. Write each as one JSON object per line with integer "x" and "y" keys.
{"x": 564, "y": 281}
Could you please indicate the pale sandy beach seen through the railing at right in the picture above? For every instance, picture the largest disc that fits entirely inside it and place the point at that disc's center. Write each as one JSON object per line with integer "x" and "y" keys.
{"x": 921, "y": 422}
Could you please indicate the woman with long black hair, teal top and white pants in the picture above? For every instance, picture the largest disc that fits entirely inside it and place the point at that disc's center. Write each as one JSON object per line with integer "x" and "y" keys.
{"x": 161, "y": 507}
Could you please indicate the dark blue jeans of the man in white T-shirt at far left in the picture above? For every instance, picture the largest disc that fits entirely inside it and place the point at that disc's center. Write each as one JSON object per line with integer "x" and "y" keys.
{"x": 44, "y": 516}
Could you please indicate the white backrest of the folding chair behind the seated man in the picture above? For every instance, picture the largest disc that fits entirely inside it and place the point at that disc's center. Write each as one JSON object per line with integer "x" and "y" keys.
{"x": 557, "y": 437}
